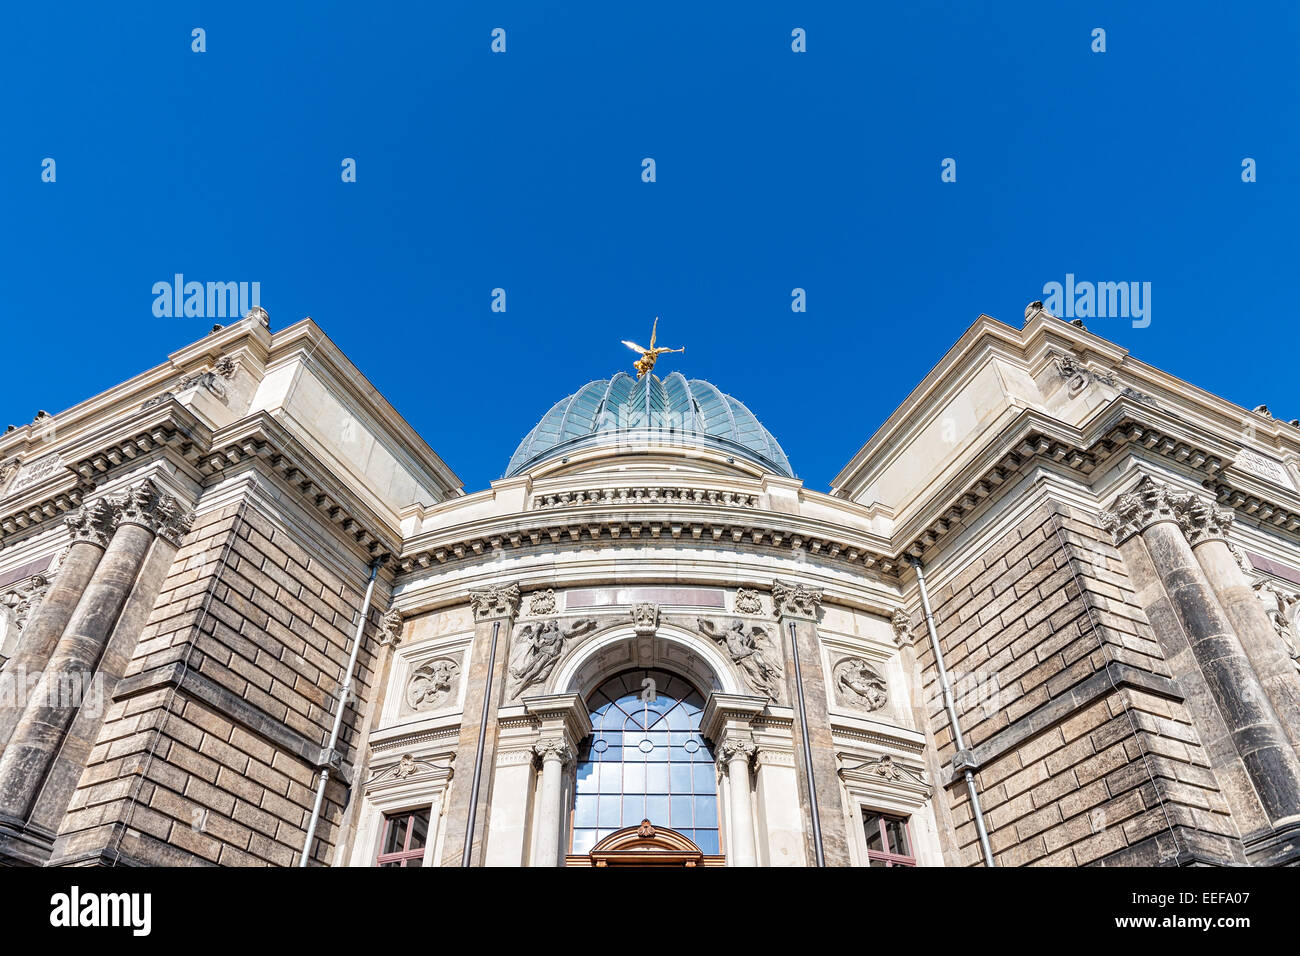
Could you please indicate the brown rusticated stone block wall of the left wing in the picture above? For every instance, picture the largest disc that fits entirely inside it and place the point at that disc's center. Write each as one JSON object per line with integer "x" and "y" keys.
{"x": 209, "y": 752}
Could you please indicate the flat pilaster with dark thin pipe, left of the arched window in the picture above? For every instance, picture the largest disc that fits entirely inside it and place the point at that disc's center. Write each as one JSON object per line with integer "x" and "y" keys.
{"x": 495, "y": 615}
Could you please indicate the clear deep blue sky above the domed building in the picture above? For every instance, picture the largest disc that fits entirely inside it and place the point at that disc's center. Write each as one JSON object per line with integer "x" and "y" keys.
{"x": 523, "y": 171}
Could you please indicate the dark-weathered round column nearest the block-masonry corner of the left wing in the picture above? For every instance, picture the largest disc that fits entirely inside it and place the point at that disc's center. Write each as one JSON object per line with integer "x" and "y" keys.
{"x": 37, "y": 738}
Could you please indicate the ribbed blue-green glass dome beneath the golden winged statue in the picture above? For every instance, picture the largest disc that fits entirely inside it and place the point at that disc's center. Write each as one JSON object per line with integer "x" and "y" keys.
{"x": 660, "y": 410}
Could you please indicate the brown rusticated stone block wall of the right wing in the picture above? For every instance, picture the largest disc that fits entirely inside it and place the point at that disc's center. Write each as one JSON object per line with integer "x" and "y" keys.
{"x": 1086, "y": 751}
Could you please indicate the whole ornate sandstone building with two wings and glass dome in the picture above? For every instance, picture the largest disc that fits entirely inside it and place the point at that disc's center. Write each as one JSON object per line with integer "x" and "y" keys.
{"x": 1047, "y": 615}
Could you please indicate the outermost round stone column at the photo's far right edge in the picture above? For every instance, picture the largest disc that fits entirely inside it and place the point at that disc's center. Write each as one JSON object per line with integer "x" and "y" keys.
{"x": 1207, "y": 530}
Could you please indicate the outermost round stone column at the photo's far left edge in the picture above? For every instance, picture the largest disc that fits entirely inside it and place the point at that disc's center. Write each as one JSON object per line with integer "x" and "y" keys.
{"x": 92, "y": 529}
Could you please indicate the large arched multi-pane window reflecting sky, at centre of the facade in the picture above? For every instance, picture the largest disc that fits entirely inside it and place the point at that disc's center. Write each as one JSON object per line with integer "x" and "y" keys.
{"x": 645, "y": 760}
